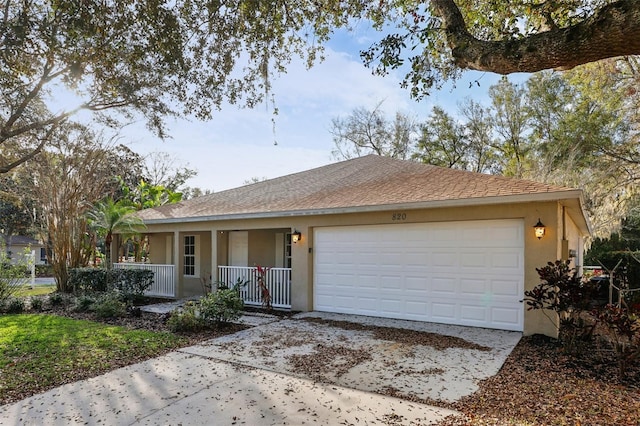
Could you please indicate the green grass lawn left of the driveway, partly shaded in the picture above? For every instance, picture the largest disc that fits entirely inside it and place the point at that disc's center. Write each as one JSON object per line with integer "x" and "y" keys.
{"x": 38, "y": 352}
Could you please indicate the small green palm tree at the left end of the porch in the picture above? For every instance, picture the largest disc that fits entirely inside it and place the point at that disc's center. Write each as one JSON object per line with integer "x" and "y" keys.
{"x": 108, "y": 217}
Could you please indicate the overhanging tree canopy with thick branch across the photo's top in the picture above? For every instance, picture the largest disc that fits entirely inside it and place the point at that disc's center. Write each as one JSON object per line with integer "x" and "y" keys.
{"x": 160, "y": 58}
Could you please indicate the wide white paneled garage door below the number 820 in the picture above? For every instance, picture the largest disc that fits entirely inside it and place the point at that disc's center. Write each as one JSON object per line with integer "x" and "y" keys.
{"x": 468, "y": 273}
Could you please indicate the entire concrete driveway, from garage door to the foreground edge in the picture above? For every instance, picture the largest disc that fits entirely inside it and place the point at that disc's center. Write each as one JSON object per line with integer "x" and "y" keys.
{"x": 323, "y": 370}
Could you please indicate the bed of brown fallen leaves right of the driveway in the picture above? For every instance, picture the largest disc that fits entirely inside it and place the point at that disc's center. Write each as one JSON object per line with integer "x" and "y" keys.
{"x": 539, "y": 384}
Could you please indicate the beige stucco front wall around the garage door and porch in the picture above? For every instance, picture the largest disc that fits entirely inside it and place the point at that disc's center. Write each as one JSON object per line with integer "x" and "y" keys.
{"x": 537, "y": 252}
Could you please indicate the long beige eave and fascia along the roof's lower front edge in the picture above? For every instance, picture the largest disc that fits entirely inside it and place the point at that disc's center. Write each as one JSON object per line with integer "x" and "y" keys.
{"x": 465, "y": 202}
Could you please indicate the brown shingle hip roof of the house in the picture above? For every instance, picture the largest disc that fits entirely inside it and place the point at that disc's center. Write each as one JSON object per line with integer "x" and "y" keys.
{"x": 361, "y": 182}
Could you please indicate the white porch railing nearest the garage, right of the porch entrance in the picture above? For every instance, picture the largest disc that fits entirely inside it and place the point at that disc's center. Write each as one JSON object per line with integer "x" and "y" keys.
{"x": 277, "y": 280}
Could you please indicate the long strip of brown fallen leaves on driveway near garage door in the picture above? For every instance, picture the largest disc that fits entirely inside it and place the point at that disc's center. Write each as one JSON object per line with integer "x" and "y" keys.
{"x": 401, "y": 335}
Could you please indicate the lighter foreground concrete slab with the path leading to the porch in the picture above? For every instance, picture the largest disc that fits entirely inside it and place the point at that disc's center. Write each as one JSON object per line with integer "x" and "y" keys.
{"x": 193, "y": 386}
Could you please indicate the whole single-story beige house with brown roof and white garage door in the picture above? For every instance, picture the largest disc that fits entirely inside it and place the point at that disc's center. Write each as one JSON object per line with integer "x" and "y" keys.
{"x": 380, "y": 237}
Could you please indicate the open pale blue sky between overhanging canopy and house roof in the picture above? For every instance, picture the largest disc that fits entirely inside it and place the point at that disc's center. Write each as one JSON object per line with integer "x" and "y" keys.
{"x": 238, "y": 144}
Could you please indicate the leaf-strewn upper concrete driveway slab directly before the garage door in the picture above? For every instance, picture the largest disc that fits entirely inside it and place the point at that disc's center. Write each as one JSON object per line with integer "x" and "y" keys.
{"x": 395, "y": 357}
